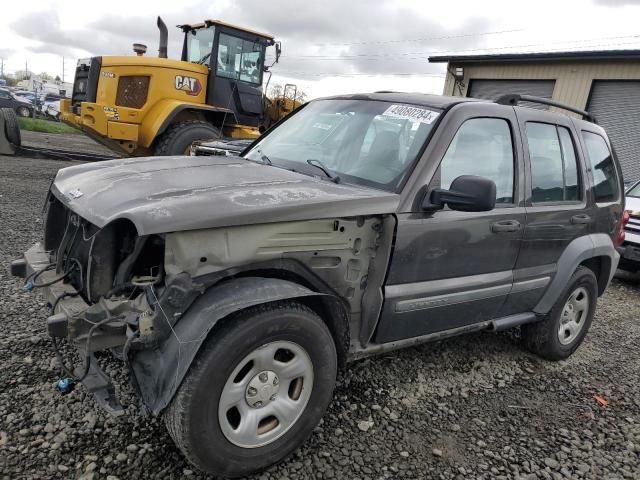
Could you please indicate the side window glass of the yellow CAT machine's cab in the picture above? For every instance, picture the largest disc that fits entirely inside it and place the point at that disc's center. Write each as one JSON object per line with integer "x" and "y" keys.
{"x": 240, "y": 59}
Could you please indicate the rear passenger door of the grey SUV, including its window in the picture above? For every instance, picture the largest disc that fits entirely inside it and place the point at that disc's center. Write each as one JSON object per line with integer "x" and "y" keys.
{"x": 557, "y": 203}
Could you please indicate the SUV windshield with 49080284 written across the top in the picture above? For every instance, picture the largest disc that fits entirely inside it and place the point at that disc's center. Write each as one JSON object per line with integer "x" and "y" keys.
{"x": 370, "y": 143}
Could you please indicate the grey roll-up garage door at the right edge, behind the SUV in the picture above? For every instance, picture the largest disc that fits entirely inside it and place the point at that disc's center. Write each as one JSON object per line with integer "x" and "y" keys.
{"x": 616, "y": 106}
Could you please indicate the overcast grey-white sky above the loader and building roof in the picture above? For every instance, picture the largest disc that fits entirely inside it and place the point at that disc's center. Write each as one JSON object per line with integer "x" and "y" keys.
{"x": 329, "y": 46}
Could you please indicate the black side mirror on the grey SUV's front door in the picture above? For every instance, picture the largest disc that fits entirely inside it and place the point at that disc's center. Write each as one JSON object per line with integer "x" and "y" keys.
{"x": 467, "y": 193}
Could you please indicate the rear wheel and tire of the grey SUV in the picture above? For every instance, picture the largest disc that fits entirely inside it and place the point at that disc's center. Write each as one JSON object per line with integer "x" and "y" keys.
{"x": 573, "y": 311}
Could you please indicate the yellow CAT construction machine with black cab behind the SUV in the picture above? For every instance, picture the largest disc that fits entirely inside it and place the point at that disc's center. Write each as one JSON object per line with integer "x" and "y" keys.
{"x": 140, "y": 106}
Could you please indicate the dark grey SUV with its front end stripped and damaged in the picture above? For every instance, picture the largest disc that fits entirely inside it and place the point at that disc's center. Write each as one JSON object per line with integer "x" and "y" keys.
{"x": 235, "y": 287}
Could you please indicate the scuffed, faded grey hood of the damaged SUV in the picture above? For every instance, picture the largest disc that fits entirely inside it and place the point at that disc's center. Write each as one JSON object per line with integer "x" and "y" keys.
{"x": 167, "y": 194}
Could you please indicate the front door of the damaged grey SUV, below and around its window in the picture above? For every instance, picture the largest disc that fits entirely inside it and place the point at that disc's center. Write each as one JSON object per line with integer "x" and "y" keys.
{"x": 451, "y": 269}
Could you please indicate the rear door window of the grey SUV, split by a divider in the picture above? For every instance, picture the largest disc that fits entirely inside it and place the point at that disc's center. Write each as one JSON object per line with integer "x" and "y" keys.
{"x": 554, "y": 172}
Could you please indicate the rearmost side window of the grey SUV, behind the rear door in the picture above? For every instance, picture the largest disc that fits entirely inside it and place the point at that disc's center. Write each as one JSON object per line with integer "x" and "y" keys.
{"x": 602, "y": 168}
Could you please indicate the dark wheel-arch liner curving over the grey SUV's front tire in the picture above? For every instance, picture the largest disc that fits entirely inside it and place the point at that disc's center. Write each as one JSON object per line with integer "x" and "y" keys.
{"x": 159, "y": 371}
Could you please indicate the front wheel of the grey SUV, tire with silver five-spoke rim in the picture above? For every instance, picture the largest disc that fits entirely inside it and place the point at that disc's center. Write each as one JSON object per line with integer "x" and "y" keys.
{"x": 238, "y": 356}
